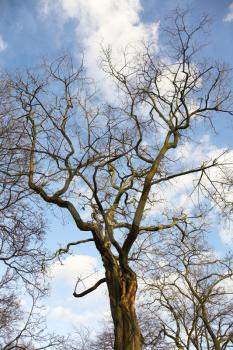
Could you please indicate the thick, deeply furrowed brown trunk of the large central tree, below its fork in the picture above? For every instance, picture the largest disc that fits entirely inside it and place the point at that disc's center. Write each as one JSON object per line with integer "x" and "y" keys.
{"x": 122, "y": 288}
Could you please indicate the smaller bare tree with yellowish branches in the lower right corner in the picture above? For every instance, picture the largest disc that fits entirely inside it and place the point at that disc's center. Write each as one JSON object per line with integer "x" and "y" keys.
{"x": 189, "y": 289}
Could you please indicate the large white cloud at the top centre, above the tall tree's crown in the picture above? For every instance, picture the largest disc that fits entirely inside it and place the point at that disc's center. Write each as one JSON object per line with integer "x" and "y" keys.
{"x": 105, "y": 22}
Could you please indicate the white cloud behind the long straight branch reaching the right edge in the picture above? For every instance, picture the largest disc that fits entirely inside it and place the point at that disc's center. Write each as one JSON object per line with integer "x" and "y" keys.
{"x": 177, "y": 195}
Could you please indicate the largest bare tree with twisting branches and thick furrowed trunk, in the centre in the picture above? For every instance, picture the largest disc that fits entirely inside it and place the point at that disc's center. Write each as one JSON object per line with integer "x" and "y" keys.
{"x": 107, "y": 162}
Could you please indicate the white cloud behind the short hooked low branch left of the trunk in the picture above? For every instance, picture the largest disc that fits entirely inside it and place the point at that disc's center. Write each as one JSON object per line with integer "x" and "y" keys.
{"x": 63, "y": 310}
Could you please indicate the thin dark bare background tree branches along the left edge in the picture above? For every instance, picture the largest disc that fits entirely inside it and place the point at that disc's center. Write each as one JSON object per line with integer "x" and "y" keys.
{"x": 22, "y": 254}
